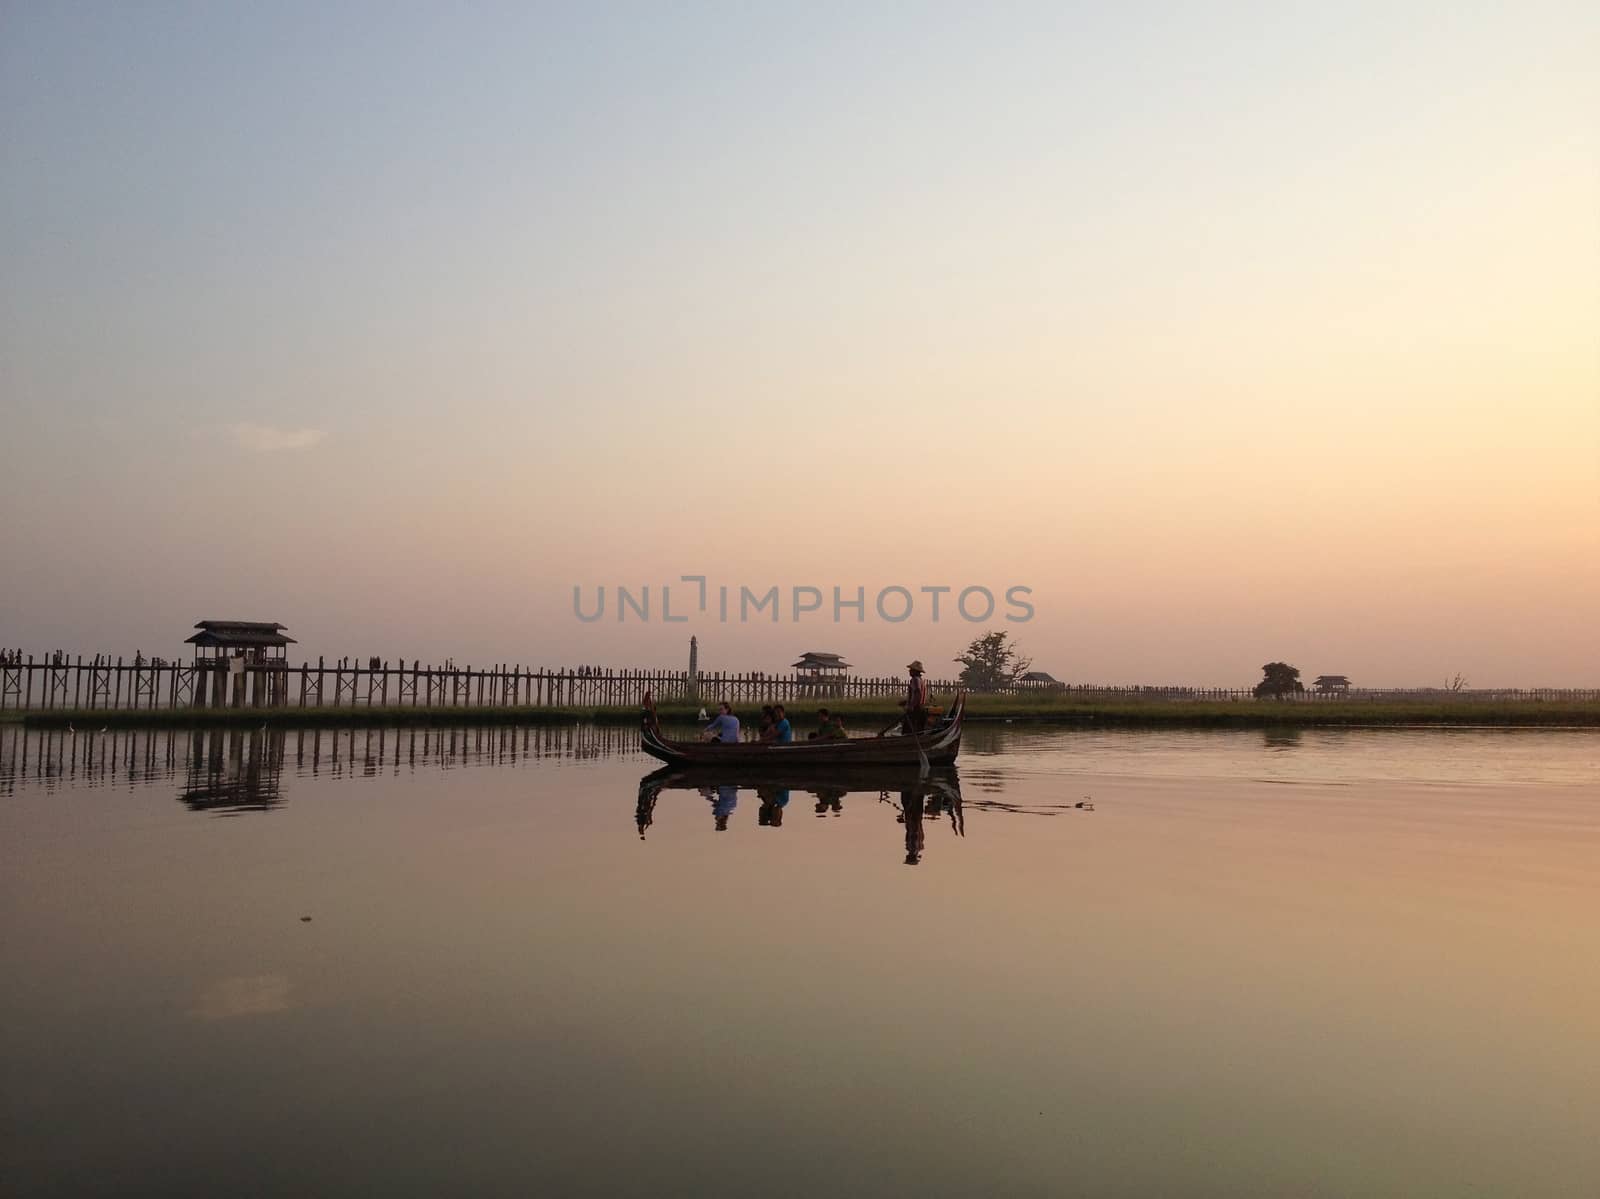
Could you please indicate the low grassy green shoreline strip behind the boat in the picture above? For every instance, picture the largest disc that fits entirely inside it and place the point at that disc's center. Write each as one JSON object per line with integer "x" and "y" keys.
{"x": 868, "y": 716}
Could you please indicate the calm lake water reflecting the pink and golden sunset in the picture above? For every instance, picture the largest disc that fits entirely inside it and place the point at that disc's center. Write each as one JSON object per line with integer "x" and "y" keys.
{"x": 1321, "y": 964}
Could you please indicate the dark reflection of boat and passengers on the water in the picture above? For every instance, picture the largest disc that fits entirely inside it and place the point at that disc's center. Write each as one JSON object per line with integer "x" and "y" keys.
{"x": 916, "y": 800}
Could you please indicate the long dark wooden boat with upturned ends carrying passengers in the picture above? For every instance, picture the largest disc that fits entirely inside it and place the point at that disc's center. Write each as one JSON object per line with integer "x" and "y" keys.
{"x": 938, "y": 745}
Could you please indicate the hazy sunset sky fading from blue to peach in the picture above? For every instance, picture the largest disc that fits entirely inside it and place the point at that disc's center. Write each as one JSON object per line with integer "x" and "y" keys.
{"x": 1231, "y": 332}
